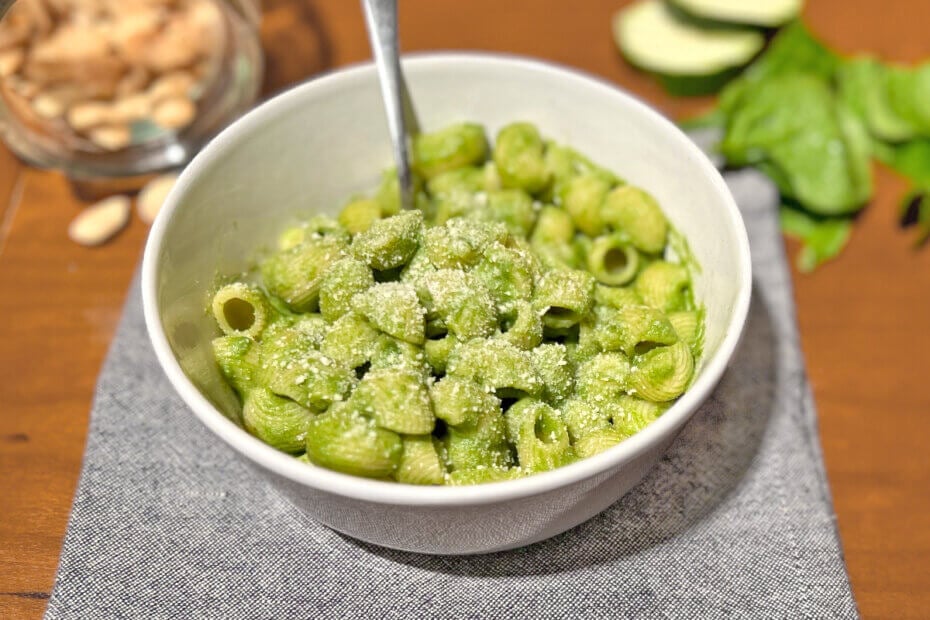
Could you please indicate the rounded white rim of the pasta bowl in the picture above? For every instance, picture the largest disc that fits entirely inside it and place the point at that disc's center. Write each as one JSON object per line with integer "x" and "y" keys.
{"x": 394, "y": 493}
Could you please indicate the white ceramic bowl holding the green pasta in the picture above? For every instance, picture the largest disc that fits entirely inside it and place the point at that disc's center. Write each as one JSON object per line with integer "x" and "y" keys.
{"x": 310, "y": 148}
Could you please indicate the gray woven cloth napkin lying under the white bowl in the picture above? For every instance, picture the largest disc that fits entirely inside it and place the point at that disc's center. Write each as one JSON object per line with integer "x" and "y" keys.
{"x": 735, "y": 521}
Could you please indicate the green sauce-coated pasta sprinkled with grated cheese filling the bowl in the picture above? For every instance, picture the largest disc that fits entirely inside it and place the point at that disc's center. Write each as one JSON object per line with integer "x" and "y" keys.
{"x": 531, "y": 311}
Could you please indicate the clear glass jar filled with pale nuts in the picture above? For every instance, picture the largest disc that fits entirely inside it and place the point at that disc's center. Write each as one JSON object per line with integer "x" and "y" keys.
{"x": 111, "y": 88}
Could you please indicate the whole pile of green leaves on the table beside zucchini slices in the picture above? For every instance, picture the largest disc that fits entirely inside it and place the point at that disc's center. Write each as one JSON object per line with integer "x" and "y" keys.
{"x": 812, "y": 121}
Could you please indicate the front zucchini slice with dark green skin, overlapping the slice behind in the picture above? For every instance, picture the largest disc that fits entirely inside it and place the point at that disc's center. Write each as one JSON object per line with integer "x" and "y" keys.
{"x": 689, "y": 59}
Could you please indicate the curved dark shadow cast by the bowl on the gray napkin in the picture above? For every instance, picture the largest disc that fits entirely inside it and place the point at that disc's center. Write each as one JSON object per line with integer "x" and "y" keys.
{"x": 705, "y": 463}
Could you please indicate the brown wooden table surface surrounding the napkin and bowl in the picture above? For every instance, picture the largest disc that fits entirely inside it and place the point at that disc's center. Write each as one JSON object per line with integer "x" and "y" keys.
{"x": 863, "y": 317}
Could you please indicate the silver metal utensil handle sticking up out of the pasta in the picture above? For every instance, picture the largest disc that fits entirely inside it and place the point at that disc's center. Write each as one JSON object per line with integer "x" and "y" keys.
{"x": 381, "y": 19}
